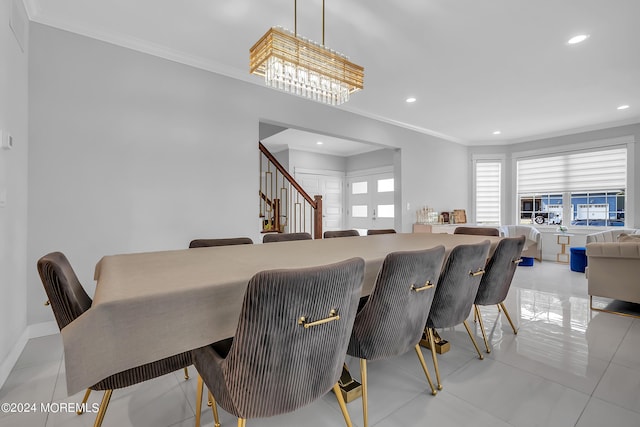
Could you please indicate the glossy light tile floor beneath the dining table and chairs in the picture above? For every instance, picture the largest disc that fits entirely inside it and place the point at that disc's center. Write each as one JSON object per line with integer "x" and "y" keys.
{"x": 566, "y": 367}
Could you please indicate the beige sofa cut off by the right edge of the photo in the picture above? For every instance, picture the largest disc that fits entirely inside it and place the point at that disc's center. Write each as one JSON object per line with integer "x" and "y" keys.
{"x": 614, "y": 265}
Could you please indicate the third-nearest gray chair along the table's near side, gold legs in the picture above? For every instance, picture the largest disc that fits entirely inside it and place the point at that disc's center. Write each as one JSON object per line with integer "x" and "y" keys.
{"x": 456, "y": 290}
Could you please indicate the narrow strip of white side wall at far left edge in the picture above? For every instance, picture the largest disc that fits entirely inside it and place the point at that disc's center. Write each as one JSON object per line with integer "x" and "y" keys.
{"x": 13, "y": 183}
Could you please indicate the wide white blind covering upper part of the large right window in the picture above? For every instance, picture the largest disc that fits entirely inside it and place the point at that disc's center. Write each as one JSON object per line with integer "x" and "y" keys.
{"x": 583, "y": 171}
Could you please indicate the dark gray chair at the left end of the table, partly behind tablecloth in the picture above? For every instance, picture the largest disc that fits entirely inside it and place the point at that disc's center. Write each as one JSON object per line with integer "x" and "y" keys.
{"x": 69, "y": 300}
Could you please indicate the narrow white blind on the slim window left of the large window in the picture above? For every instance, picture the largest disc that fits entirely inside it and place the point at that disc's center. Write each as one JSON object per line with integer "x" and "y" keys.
{"x": 487, "y": 176}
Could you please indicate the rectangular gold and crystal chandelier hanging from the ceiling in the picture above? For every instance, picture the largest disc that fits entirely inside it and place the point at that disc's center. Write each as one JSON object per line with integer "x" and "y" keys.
{"x": 304, "y": 68}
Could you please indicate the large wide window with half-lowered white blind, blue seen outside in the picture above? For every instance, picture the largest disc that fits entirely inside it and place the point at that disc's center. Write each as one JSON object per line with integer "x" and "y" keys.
{"x": 577, "y": 188}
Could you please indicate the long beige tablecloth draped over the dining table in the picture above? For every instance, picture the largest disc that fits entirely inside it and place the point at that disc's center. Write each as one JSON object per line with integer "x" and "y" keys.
{"x": 148, "y": 306}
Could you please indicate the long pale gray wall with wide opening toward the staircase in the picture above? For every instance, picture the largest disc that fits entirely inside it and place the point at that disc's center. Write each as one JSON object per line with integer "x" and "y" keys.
{"x": 130, "y": 152}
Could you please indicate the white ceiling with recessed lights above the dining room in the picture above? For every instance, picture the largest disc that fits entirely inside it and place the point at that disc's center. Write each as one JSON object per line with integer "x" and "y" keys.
{"x": 474, "y": 66}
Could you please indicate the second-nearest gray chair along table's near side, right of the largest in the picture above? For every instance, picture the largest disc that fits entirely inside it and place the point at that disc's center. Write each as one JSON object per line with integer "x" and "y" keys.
{"x": 392, "y": 320}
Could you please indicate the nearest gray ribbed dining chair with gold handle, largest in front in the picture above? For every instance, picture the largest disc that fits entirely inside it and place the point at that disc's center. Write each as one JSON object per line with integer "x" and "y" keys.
{"x": 289, "y": 345}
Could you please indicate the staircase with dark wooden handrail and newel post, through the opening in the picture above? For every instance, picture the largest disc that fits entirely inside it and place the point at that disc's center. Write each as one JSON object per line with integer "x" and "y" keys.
{"x": 284, "y": 205}
